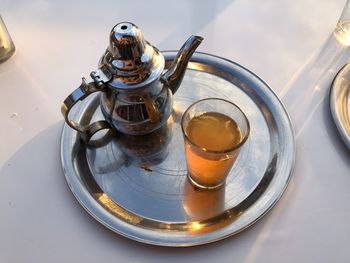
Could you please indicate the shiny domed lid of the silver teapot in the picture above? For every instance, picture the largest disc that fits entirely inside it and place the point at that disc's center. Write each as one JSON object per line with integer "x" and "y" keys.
{"x": 130, "y": 61}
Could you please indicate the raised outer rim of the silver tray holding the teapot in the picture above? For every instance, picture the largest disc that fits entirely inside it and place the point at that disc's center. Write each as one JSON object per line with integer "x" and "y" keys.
{"x": 84, "y": 194}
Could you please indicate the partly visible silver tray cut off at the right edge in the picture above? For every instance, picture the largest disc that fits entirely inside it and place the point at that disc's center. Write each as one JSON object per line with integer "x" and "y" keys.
{"x": 340, "y": 103}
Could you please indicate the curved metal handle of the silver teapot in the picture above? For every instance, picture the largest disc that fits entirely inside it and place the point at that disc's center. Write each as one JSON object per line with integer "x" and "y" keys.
{"x": 83, "y": 91}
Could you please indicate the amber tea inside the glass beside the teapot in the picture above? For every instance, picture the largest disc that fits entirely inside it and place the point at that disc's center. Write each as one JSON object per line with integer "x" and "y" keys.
{"x": 214, "y": 132}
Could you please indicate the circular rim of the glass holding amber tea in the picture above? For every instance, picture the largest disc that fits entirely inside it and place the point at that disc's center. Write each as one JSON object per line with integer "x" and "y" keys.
{"x": 237, "y": 146}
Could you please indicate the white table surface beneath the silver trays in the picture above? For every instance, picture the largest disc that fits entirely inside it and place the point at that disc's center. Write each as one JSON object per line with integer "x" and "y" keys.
{"x": 287, "y": 43}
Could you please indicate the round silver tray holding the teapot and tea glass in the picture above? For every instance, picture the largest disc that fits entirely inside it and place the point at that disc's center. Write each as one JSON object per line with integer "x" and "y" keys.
{"x": 138, "y": 187}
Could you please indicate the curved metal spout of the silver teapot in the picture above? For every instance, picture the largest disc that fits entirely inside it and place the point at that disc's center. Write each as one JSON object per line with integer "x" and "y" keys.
{"x": 174, "y": 75}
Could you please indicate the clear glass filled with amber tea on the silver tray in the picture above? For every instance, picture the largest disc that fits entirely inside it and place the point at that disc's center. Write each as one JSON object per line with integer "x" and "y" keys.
{"x": 214, "y": 131}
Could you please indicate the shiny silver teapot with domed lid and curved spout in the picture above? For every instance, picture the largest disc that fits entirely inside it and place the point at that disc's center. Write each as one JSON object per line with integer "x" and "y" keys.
{"x": 136, "y": 96}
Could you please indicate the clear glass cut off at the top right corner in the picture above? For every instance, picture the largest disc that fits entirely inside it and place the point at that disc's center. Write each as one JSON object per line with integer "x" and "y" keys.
{"x": 342, "y": 30}
